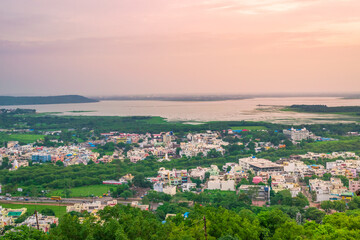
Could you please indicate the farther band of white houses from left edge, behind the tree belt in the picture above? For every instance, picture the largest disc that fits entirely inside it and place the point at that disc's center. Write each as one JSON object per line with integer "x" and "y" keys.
{"x": 163, "y": 146}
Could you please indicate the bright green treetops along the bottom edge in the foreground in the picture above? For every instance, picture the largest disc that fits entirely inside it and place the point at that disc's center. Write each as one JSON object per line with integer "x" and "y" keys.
{"x": 125, "y": 222}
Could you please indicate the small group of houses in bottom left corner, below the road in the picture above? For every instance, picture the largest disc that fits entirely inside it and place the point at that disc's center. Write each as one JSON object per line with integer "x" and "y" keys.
{"x": 9, "y": 216}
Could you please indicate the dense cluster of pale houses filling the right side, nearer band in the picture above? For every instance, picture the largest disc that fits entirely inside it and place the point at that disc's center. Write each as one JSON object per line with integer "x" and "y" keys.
{"x": 266, "y": 175}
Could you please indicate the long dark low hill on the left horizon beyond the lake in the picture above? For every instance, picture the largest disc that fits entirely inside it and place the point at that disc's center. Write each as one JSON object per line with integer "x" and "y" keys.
{"x": 9, "y": 100}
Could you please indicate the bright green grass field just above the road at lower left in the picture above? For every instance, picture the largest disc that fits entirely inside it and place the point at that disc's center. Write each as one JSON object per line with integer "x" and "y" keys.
{"x": 85, "y": 191}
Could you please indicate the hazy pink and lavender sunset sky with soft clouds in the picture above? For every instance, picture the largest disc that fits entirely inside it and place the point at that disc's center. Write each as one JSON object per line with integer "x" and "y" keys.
{"x": 127, "y": 47}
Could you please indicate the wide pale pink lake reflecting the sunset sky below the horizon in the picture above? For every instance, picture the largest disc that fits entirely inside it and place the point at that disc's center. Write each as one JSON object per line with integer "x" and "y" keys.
{"x": 247, "y": 109}
